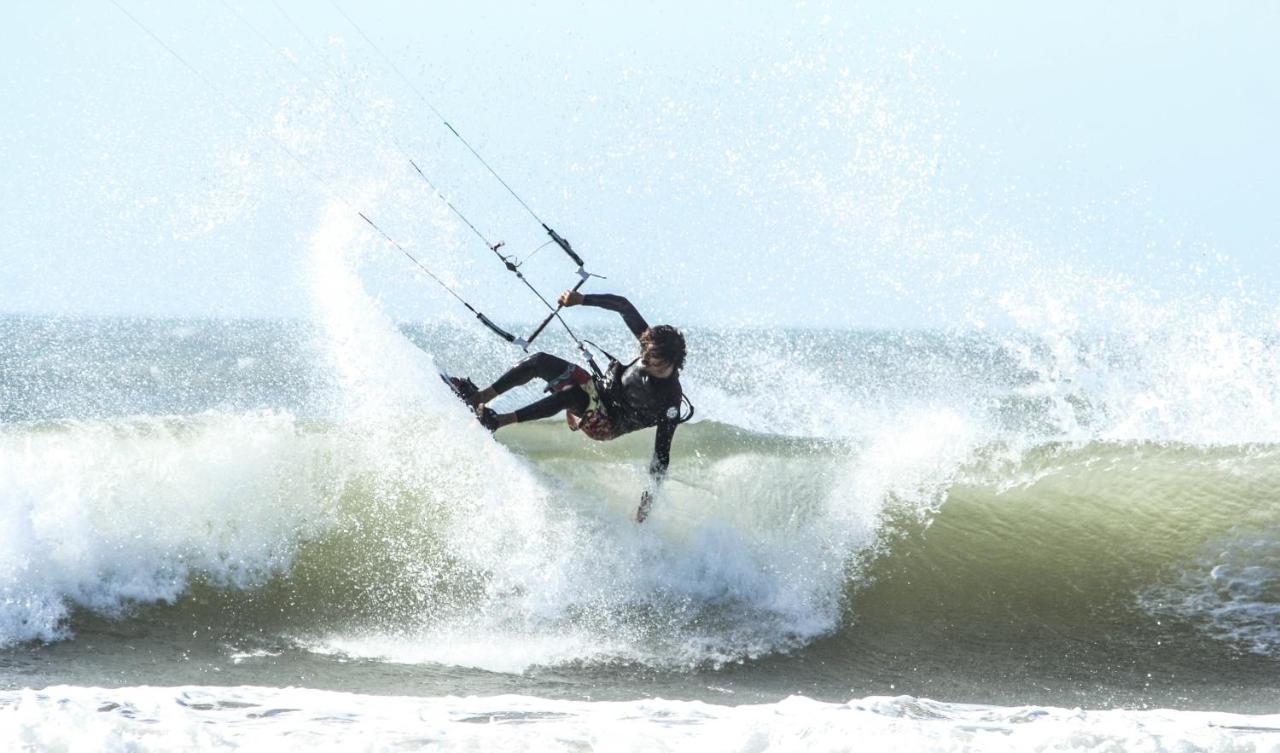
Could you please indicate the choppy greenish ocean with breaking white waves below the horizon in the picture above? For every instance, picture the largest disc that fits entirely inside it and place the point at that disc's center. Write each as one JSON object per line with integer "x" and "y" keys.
{"x": 257, "y": 533}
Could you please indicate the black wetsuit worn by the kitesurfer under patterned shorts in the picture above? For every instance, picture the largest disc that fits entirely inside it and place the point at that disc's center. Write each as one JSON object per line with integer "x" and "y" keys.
{"x": 633, "y": 400}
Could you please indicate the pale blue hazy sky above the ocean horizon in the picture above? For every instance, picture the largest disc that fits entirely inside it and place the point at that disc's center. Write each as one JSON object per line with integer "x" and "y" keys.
{"x": 744, "y": 163}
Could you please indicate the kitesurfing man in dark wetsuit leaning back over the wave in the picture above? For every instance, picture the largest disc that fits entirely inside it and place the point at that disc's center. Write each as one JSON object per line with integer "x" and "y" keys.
{"x": 634, "y": 396}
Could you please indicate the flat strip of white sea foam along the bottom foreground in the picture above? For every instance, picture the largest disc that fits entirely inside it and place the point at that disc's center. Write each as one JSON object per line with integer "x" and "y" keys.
{"x": 257, "y": 719}
